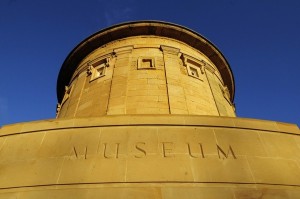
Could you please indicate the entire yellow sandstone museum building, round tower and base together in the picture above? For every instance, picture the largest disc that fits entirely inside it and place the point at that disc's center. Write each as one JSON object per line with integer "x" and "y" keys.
{"x": 146, "y": 110}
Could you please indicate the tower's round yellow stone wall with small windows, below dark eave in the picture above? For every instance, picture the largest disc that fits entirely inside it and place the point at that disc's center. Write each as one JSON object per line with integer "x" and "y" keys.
{"x": 146, "y": 75}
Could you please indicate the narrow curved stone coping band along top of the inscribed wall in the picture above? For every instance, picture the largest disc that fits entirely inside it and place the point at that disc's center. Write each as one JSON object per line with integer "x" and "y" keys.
{"x": 170, "y": 120}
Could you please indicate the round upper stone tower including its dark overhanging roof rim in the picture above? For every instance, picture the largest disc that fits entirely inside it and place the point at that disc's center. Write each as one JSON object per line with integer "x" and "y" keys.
{"x": 145, "y": 68}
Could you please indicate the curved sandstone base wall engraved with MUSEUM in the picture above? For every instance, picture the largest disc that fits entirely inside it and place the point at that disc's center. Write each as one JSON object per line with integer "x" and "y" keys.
{"x": 150, "y": 156}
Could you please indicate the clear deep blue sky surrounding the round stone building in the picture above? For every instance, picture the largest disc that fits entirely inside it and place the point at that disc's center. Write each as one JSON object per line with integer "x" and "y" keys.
{"x": 259, "y": 38}
